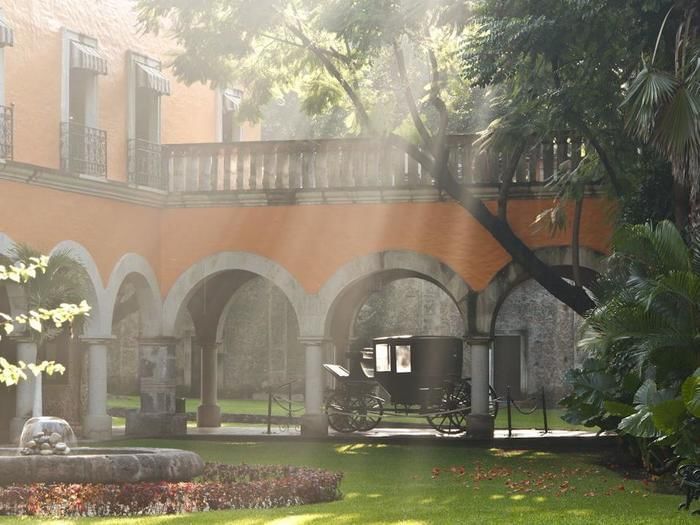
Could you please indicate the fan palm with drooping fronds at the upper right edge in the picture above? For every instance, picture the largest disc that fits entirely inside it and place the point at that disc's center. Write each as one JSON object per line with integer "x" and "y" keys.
{"x": 664, "y": 110}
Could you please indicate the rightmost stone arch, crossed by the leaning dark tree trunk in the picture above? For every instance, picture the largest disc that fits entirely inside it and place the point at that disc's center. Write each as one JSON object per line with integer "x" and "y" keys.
{"x": 490, "y": 299}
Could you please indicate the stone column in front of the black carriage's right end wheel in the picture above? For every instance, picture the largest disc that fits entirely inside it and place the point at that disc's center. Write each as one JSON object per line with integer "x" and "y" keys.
{"x": 480, "y": 421}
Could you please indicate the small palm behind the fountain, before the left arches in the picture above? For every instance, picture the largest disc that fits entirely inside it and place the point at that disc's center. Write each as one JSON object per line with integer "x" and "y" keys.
{"x": 64, "y": 280}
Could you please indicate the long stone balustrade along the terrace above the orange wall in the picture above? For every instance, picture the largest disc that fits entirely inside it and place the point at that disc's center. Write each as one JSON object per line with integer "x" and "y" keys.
{"x": 347, "y": 163}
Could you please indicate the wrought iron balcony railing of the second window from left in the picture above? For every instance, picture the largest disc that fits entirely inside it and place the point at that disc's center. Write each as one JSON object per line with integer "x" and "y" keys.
{"x": 83, "y": 149}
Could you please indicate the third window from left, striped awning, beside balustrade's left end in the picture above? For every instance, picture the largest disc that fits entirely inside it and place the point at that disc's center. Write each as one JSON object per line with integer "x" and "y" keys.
{"x": 147, "y": 84}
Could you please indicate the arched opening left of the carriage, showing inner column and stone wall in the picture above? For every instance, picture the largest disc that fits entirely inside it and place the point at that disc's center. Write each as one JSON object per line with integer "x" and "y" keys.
{"x": 244, "y": 337}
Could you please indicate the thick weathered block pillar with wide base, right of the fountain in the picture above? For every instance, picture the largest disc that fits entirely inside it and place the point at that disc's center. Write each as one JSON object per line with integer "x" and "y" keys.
{"x": 157, "y": 381}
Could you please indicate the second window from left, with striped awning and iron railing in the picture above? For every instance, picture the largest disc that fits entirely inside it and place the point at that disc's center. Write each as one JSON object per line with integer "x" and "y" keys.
{"x": 83, "y": 145}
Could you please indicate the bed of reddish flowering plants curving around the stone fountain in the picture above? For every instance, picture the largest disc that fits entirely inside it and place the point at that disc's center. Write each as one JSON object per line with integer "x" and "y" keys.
{"x": 220, "y": 487}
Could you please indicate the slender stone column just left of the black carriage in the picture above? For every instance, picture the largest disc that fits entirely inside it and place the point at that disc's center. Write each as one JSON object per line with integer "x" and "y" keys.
{"x": 314, "y": 422}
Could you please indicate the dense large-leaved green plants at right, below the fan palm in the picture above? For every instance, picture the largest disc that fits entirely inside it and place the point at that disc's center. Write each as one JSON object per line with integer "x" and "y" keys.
{"x": 645, "y": 337}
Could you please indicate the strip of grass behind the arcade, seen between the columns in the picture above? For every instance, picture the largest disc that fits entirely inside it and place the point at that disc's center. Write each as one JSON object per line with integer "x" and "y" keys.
{"x": 259, "y": 407}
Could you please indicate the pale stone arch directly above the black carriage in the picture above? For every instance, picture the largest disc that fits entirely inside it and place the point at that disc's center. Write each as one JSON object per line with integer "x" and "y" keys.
{"x": 317, "y": 321}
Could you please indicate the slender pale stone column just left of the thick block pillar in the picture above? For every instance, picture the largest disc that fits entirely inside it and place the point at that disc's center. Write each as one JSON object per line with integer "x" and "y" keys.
{"x": 97, "y": 424}
